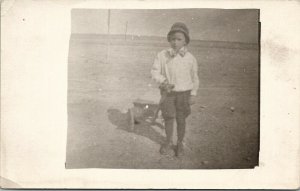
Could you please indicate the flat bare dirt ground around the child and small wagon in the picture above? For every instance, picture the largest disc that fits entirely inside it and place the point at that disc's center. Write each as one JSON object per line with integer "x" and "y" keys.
{"x": 222, "y": 131}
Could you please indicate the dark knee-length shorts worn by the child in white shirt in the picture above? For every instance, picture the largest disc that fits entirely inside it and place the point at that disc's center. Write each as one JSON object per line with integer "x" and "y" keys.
{"x": 176, "y": 104}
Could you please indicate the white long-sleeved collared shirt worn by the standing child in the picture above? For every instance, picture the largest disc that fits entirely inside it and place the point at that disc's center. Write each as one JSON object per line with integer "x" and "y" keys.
{"x": 179, "y": 69}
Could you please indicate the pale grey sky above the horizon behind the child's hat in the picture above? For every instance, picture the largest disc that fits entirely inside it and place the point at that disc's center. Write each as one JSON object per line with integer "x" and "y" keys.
{"x": 238, "y": 25}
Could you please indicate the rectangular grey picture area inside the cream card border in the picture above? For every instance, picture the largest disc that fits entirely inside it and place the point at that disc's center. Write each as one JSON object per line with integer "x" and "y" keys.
{"x": 163, "y": 89}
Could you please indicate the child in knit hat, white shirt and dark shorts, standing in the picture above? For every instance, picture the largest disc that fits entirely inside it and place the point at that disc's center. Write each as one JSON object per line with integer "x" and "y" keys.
{"x": 176, "y": 70}
